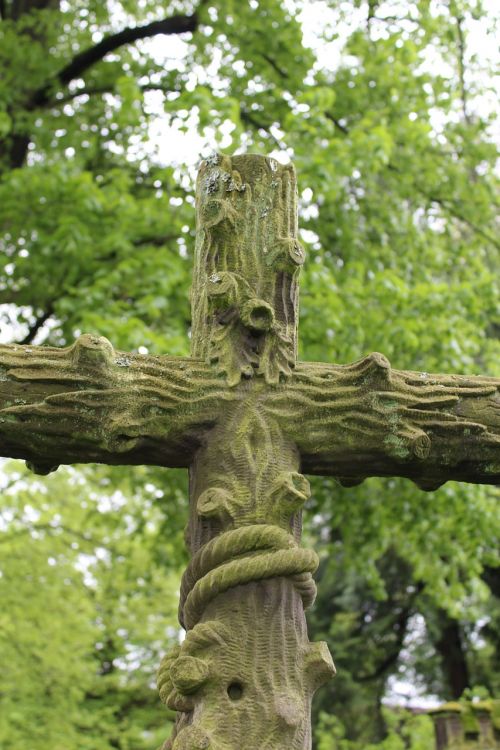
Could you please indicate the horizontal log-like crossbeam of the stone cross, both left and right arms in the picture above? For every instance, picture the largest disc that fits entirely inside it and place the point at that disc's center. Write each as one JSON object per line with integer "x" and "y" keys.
{"x": 90, "y": 403}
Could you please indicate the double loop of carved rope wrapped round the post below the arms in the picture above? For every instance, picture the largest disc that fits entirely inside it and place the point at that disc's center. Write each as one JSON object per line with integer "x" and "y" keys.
{"x": 243, "y": 555}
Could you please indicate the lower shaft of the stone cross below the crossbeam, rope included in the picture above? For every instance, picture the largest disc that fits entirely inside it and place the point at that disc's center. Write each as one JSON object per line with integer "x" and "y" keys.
{"x": 247, "y": 585}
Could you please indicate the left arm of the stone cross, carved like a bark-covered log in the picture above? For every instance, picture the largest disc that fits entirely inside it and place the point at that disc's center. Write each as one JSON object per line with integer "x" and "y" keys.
{"x": 91, "y": 403}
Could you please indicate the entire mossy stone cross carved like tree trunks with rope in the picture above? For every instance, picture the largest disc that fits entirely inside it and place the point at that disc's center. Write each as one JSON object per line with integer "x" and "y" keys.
{"x": 246, "y": 419}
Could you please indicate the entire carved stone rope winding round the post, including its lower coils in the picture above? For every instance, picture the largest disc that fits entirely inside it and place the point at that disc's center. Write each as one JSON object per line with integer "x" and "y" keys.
{"x": 235, "y": 557}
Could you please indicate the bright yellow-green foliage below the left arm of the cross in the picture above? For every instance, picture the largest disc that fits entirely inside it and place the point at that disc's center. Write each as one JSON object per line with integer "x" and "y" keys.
{"x": 89, "y": 594}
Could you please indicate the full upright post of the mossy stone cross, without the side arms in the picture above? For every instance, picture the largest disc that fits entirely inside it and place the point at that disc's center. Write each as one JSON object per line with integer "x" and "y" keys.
{"x": 246, "y": 673}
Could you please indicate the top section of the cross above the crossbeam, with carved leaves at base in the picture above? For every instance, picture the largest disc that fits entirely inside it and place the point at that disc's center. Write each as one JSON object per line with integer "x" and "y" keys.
{"x": 245, "y": 292}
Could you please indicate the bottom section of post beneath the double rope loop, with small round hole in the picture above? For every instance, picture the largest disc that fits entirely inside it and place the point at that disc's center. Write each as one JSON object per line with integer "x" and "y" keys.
{"x": 244, "y": 677}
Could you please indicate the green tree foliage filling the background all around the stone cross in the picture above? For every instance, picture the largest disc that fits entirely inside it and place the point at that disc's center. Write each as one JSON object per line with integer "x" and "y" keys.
{"x": 393, "y": 144}
